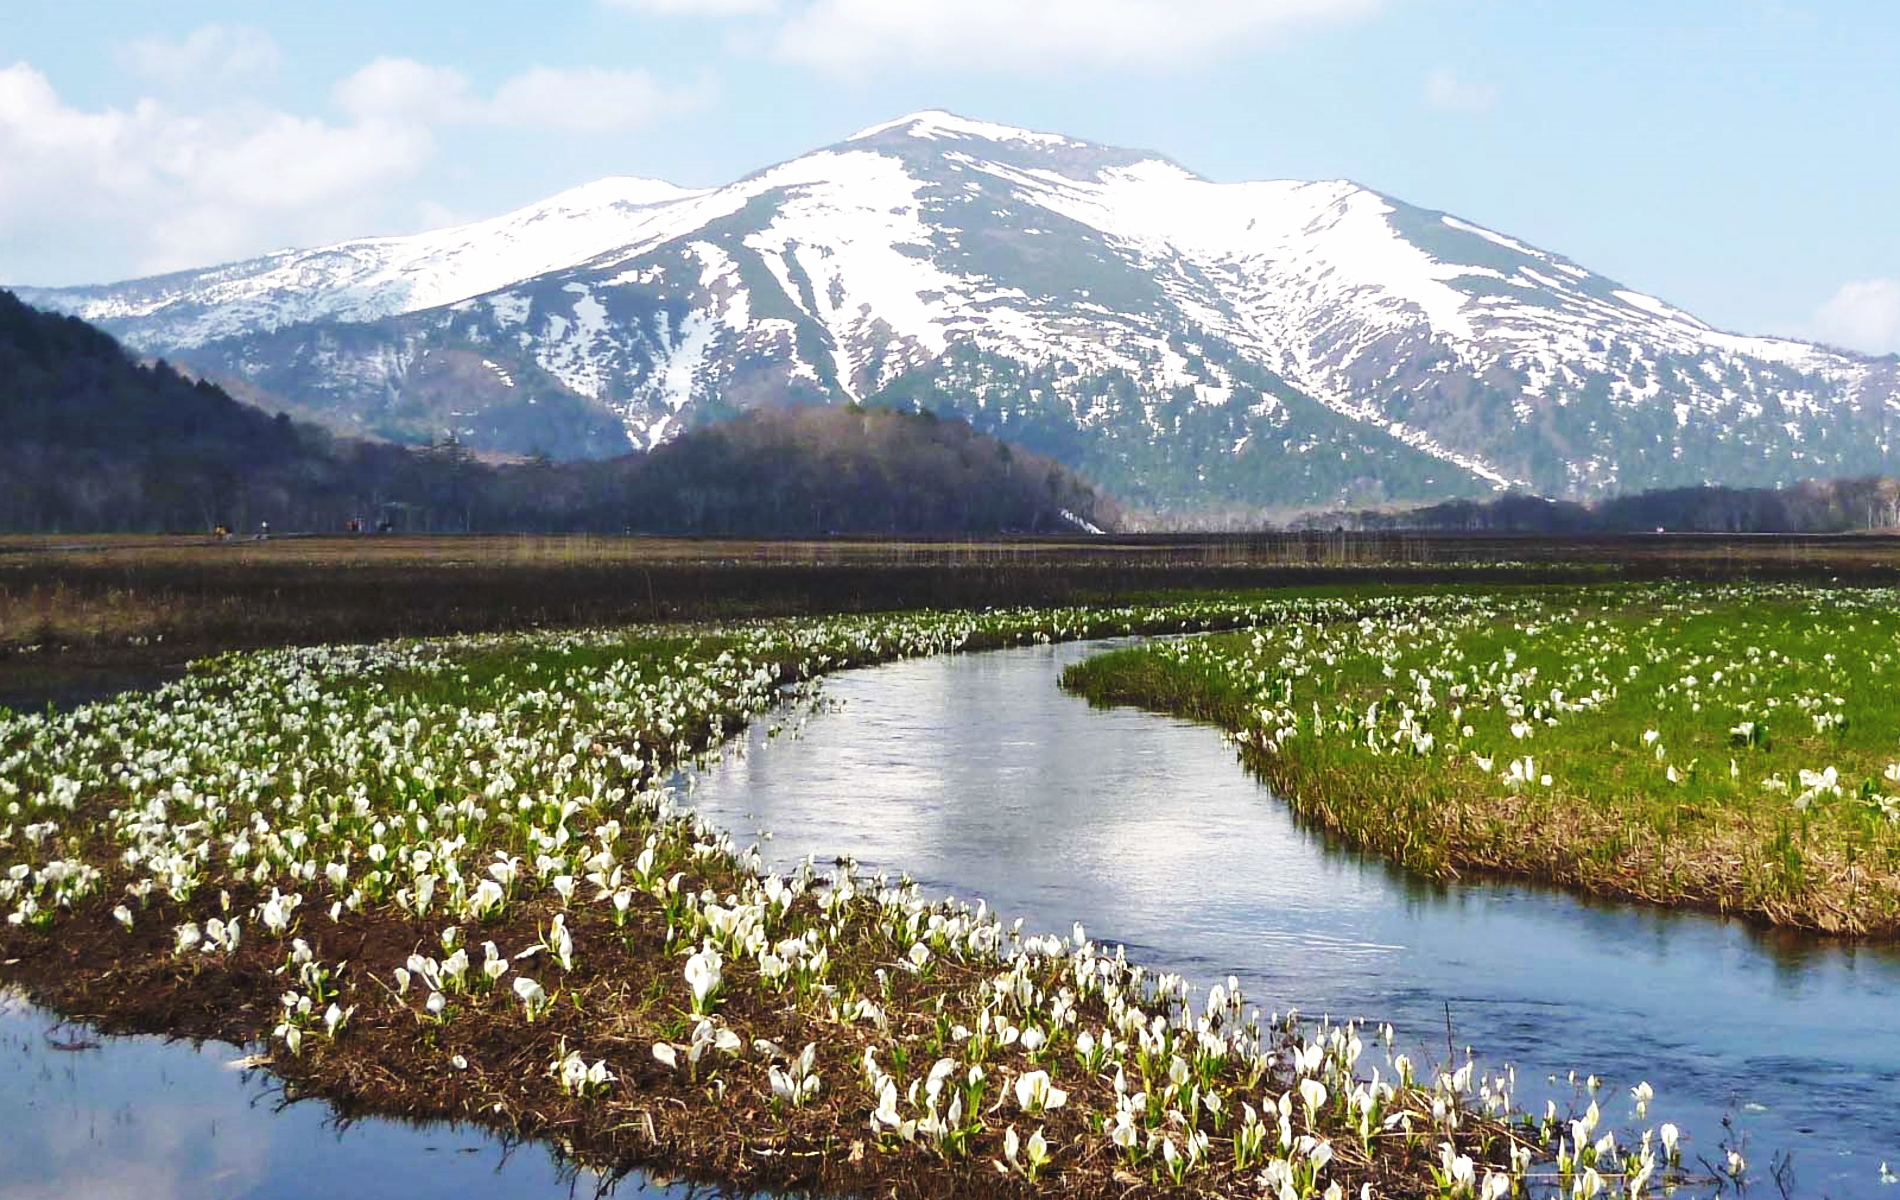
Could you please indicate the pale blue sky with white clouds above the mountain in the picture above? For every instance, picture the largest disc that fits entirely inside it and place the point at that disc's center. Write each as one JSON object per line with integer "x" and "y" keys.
{"x": 1734, "y": 157}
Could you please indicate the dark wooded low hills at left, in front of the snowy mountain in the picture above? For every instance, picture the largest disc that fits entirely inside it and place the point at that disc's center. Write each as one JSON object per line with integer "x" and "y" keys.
{"x": 98, "y": 441}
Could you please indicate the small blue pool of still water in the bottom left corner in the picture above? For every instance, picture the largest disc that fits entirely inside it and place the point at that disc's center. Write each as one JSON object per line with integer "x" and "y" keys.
{"x": 142, "y": 1119}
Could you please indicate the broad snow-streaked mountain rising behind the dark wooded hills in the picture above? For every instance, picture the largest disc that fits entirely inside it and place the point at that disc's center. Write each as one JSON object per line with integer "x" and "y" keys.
{"x": 1185, "y": 343}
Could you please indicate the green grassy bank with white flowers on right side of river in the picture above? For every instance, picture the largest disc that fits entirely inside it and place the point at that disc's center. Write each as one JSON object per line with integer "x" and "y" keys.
{"x": 1658, "y": 743}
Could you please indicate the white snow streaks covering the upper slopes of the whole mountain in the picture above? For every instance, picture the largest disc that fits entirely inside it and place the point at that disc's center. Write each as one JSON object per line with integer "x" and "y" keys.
{"x": 1310, "y": 280}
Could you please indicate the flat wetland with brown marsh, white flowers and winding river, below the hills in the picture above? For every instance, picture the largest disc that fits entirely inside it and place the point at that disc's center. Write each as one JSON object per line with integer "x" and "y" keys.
{"x": 447, "y": 831}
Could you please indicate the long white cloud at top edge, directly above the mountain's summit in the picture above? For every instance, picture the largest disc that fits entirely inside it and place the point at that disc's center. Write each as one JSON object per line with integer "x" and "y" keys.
{"x": 854, "y": 37}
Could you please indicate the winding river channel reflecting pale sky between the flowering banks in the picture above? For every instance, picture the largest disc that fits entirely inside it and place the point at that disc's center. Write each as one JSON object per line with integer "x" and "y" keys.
{"x": 983, "y": 779}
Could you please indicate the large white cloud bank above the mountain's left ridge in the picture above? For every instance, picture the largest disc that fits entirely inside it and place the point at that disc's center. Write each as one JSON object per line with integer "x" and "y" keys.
{"x": 166, "y": 185}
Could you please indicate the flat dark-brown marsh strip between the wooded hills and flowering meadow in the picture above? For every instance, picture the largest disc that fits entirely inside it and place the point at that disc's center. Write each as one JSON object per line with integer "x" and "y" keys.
{"x": 124, "y": 601}
